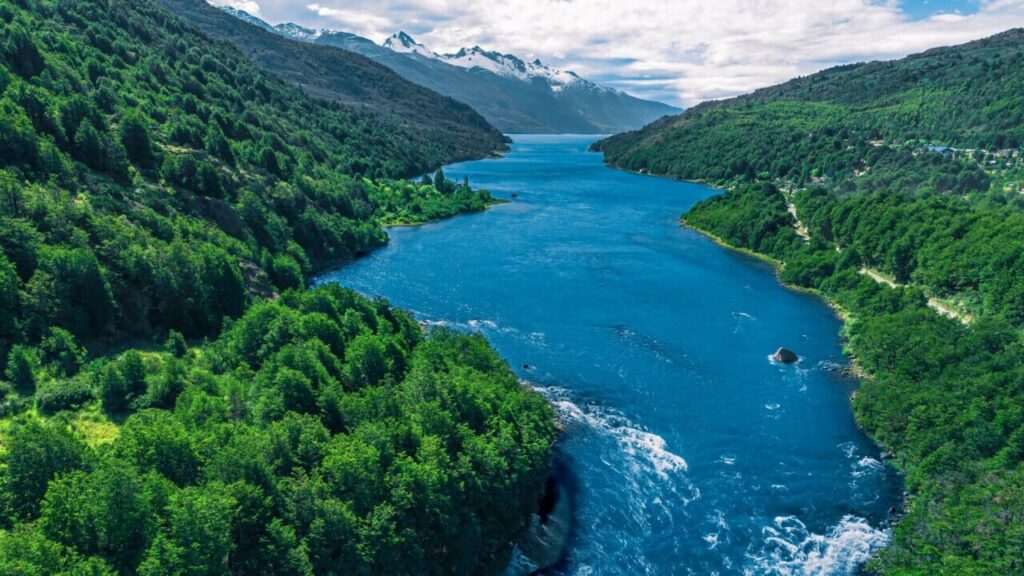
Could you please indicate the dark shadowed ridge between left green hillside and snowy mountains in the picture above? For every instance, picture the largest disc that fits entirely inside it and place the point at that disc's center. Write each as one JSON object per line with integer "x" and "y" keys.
{"x": 448, "y": 130}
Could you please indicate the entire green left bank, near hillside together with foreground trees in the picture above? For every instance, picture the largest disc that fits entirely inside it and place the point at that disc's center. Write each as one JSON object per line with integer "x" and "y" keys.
{"x": 173, "y": 399}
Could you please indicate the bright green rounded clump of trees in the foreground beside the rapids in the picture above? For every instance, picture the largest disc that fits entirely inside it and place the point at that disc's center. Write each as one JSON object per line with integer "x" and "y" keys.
{"x": 322, "y": 434}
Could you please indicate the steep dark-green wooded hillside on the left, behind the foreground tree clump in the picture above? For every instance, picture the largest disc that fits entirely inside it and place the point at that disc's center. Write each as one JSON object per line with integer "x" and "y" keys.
{"x": 158, "y": 181}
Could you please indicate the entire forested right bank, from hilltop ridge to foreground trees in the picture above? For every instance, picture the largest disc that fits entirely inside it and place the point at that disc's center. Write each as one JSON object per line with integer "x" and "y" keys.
{"x": 906, "y": 178}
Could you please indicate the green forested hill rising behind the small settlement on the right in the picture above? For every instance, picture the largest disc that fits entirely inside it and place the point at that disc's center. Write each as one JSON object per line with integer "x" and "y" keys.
{"x": 964, "y": 97}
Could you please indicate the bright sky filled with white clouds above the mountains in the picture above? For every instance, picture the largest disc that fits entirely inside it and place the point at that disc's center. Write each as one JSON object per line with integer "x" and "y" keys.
{"x": 678, "y": 52}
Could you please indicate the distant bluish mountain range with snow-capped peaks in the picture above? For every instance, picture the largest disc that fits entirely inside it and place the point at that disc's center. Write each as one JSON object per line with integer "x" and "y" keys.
{"x": 514, "y": 95}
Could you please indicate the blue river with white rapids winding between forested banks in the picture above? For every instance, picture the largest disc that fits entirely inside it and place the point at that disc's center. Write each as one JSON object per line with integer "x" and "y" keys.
{"x": 692, "y": 451}
